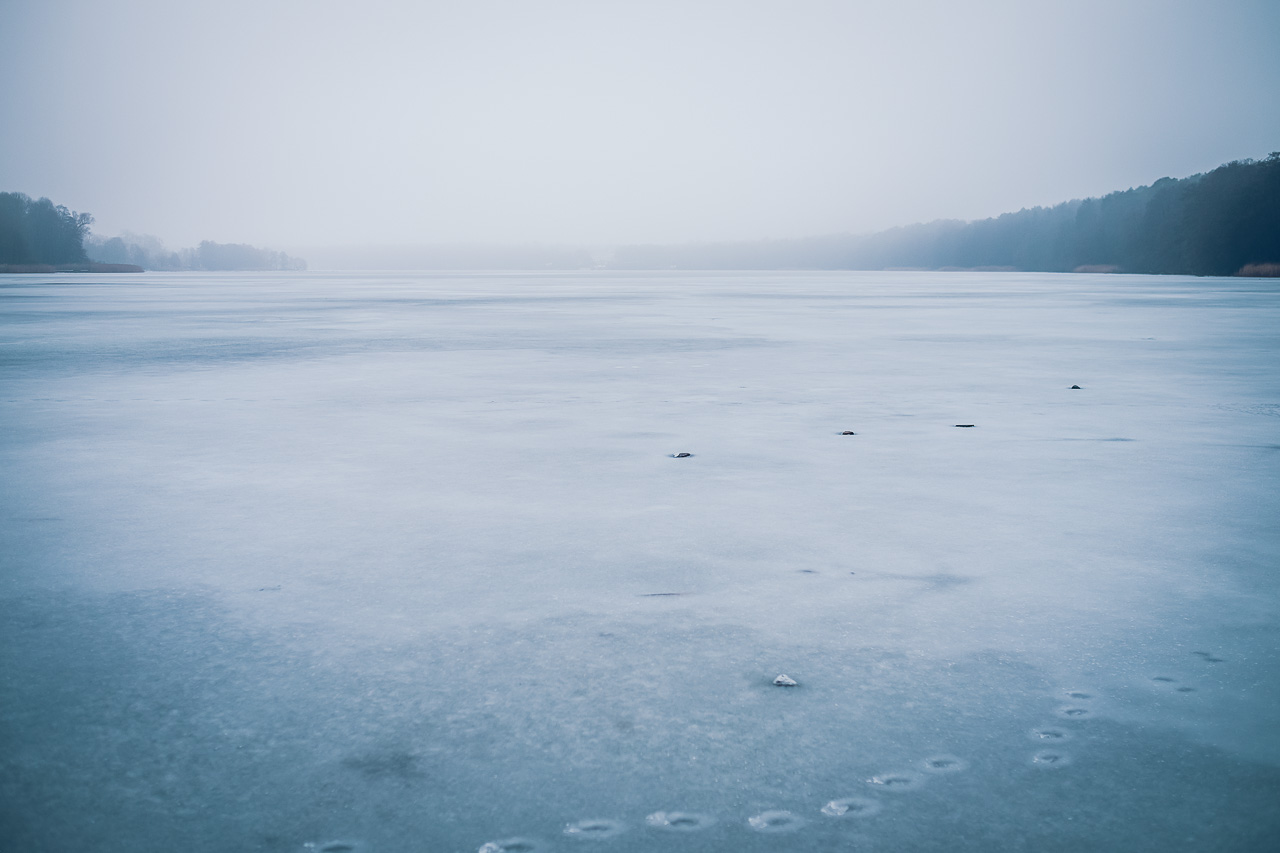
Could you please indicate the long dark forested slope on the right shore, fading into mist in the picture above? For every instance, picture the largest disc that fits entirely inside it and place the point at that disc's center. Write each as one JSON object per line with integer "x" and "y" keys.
{"x": 1226, "y": 222}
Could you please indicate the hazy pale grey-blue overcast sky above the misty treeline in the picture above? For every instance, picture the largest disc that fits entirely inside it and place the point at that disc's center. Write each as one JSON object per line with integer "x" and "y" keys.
{"x": 309, "y": 124}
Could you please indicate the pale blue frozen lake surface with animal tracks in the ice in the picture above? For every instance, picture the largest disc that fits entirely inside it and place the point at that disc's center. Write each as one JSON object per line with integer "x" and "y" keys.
{"x": 404, "y": 563}
